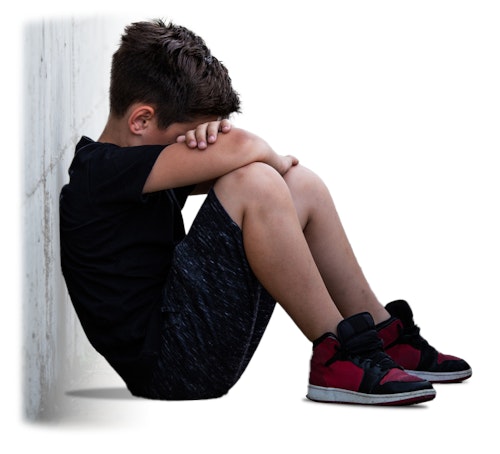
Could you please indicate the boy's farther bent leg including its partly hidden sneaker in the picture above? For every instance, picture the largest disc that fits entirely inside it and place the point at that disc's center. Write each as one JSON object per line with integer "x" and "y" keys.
{"x": 350, "y": 290}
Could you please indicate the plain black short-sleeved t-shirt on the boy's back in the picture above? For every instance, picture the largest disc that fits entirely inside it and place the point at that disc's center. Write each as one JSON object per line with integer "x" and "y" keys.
{"x": 116, "y": 248}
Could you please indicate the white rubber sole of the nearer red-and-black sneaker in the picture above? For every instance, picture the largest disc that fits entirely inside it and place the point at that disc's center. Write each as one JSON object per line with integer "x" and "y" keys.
{"x": 343, "y": 396}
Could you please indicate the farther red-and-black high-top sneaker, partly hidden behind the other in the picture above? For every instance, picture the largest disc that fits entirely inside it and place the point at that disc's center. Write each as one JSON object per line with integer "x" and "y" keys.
{"x": 404, "y": 344}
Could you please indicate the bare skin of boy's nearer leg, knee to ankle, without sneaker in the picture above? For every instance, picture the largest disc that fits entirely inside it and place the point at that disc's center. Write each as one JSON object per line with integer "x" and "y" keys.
{"x": 258, "y": 199}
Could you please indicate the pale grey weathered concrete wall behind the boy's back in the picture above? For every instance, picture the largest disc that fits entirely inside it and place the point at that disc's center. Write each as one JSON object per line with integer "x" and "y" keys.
{"x": 66, "y": 72}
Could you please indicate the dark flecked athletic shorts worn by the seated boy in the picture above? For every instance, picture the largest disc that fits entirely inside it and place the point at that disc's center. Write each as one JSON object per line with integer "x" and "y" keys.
{"x": 214, "y": 311}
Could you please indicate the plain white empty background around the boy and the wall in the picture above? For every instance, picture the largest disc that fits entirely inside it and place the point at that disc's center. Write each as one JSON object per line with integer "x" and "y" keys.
{"x": 396, "y": 105}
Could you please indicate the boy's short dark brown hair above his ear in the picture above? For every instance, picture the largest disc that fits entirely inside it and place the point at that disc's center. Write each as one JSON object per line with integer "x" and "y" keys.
{"x": 171, "y": 69}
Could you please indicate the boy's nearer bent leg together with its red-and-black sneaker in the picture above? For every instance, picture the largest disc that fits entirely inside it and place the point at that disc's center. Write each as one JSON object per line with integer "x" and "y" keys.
{"x": 350, "y": 367}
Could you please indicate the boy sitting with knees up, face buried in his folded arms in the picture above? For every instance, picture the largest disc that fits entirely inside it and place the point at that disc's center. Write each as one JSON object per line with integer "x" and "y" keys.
{"x": 180, "y": 316}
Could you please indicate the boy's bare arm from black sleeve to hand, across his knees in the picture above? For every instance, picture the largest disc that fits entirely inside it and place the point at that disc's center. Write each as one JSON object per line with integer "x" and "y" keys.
{"x": 178, "y": 165}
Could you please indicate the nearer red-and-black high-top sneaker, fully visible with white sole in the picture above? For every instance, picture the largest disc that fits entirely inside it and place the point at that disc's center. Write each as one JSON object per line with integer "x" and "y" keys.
{"x": 353, "y": 368}
